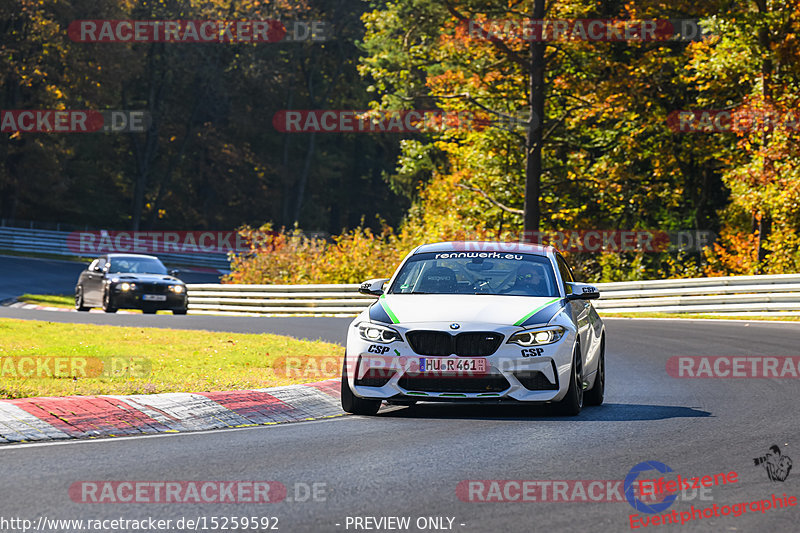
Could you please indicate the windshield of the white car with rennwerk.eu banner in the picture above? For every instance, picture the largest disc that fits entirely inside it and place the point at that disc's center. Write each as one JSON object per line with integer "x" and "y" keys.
{"x": 513, "y": 274}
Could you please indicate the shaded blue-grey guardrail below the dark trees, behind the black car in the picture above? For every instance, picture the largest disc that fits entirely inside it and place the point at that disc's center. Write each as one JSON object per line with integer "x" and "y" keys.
{"x": 55, "y": 243}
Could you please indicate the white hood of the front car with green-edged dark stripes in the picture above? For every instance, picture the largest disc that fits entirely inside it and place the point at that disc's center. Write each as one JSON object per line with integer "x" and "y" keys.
{"x": 507, "y": 310}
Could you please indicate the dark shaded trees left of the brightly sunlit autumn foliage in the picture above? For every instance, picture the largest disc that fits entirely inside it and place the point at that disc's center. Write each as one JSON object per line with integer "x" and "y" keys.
{"x": 211, "y": 157}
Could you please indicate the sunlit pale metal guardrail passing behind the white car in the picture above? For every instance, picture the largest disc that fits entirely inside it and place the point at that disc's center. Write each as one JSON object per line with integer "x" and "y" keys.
{"x": 777, "y": 295}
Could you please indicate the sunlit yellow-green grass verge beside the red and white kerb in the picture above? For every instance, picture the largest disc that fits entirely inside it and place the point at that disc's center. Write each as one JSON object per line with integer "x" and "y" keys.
{"x": 91, "y": 359}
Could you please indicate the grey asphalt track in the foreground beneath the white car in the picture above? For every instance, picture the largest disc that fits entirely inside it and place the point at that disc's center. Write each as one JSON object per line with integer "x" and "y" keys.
{"x": 408, "y": 462}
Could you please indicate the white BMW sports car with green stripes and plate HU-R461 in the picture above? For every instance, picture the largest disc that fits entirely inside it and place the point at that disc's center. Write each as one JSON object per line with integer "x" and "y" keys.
{"x": 476, "y": 322}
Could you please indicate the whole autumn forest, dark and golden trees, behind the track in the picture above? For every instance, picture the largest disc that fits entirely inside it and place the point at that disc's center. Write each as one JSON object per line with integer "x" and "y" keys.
{"x": 574, "y": 132}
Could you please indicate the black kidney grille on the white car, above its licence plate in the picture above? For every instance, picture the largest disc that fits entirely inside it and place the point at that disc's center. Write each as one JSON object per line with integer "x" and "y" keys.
{"x": 467, "y": 344}
